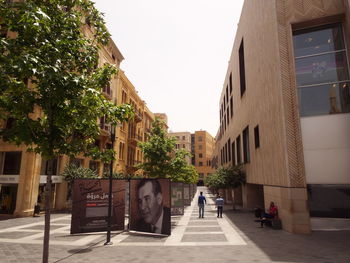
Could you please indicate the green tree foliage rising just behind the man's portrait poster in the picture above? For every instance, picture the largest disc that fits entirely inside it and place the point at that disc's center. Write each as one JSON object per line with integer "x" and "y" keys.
{"x": 162, "y": 160}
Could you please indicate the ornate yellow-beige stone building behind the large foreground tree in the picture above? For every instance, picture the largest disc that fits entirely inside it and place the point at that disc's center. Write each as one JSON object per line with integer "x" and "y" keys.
{"x": 23, "y": 174}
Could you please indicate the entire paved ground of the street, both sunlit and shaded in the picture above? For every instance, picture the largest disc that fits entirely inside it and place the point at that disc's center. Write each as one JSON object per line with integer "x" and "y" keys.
{"x": 233, "y": 238}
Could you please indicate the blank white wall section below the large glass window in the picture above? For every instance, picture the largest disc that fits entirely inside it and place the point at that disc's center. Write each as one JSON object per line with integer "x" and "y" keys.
{"x": 326, "y": 142}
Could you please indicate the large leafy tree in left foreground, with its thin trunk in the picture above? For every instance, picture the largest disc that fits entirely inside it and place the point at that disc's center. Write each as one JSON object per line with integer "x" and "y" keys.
{"x": 50, "y": 82}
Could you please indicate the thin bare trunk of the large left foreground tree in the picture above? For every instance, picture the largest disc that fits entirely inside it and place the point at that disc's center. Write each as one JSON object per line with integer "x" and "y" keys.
{"x": 48, "y": 190}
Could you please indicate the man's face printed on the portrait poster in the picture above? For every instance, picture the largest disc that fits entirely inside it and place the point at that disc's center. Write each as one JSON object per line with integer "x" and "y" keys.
{"x": 150, "y": 205}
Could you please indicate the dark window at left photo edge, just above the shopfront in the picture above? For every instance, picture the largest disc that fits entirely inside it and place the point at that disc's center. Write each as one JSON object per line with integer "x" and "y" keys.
{"x": 10, "y": 163}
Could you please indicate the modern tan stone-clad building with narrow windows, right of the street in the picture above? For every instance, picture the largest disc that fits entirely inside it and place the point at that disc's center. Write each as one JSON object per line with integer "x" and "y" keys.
{"x": 284, "y": 108}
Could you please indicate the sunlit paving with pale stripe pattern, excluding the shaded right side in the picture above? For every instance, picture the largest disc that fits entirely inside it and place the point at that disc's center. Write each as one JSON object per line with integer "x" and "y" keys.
{"x": 187, "y": 230}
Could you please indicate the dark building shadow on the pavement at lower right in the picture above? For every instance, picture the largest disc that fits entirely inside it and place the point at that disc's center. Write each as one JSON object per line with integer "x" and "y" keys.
{"x": 282, "y": 246}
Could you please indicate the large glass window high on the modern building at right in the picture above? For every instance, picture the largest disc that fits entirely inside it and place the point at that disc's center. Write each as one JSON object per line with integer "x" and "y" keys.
{"x": 322, "y": 72}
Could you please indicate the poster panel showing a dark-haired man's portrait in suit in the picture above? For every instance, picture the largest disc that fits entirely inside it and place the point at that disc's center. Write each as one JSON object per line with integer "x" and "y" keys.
{"x": 150, "y": 205}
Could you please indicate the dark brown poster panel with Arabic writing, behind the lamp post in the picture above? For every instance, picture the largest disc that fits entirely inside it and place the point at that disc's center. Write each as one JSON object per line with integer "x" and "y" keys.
{"x": 90, "y": 205}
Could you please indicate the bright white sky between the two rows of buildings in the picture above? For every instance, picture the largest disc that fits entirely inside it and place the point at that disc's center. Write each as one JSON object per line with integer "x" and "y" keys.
{"x": 176, "y": 54}
